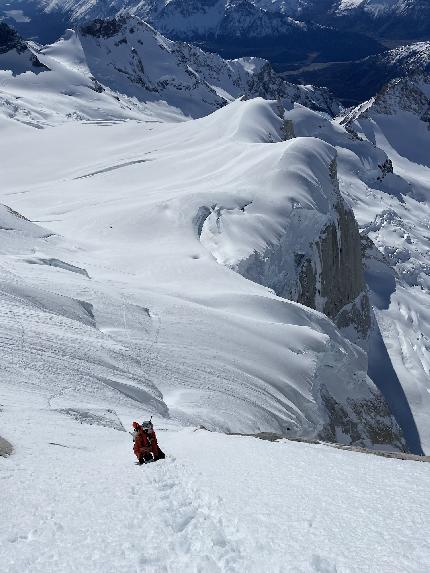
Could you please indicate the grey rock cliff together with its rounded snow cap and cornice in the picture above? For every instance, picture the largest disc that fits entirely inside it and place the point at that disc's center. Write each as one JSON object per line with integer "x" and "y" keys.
{"x": 315, "y": 255}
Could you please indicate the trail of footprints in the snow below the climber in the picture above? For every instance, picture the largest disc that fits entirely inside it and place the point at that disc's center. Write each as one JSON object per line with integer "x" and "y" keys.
{"x": 191, "y": 524}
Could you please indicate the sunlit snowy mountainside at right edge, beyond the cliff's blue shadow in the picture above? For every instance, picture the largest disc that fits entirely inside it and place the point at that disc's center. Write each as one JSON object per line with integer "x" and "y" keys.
{"x": 398, "y": 122}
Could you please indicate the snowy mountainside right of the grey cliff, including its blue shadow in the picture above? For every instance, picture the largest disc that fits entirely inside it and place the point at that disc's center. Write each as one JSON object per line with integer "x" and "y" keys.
{"x": 384, "y": 175}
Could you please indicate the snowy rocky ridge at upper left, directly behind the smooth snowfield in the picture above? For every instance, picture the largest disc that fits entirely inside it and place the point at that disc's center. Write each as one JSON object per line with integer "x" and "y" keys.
{"x": 123, "y": 69}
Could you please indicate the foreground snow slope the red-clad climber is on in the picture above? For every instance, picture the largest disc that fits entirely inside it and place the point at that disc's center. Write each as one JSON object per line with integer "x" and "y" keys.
{"x": 217, "y": 503}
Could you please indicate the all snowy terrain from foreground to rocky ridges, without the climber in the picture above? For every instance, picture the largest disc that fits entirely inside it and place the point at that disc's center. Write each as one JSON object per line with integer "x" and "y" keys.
{"x": 228, "y": 265}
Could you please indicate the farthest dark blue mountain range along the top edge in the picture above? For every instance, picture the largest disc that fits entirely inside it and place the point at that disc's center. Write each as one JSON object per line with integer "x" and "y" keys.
{"x": 232, "y": 28}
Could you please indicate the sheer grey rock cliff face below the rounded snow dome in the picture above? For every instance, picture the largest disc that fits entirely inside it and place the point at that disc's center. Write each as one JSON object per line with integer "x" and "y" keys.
{"x": 328, "y": 276}
